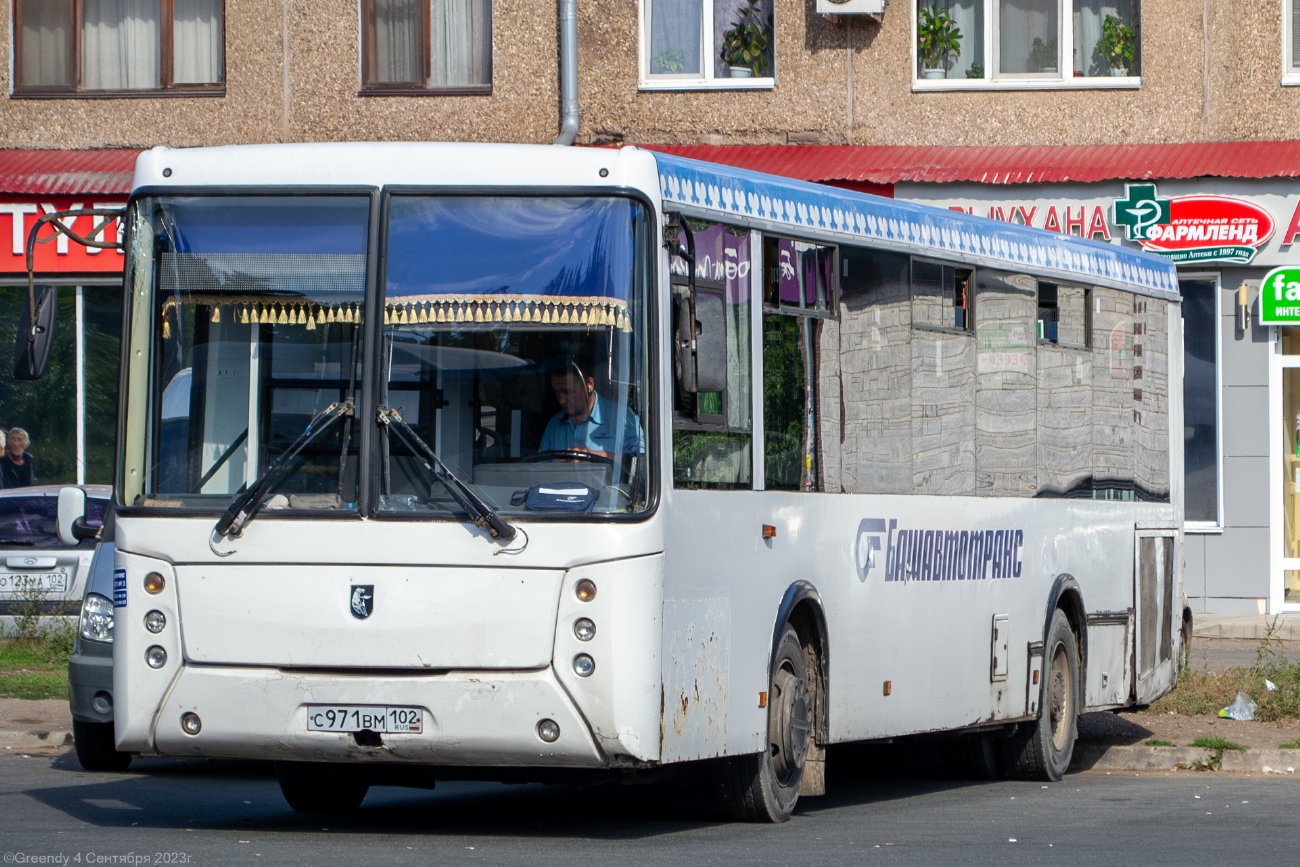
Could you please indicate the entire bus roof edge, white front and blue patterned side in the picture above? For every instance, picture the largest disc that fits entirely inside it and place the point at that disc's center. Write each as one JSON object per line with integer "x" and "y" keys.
{"x": 699, "y": 189}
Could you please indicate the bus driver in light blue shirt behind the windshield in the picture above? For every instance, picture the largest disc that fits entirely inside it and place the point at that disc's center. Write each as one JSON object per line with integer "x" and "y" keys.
{"x": 590, "y": 422}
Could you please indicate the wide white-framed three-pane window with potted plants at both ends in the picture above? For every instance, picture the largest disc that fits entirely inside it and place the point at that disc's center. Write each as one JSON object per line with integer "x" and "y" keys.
{"x": 1028, "y": 44}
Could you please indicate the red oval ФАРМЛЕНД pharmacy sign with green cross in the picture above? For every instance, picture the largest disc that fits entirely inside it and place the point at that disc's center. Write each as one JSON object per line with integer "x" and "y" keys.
{"x": 1193, "y": 229}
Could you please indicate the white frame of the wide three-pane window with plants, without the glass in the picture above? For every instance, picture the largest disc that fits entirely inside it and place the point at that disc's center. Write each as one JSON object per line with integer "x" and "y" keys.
{"x": 1030, "y": 81}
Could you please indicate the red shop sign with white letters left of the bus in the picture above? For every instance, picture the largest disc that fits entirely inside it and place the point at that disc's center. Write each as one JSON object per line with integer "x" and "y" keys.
{"x": 60, "y": 257}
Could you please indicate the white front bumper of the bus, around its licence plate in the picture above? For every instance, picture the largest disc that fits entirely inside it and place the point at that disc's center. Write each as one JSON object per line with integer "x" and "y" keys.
{"x": 469, "y": 718}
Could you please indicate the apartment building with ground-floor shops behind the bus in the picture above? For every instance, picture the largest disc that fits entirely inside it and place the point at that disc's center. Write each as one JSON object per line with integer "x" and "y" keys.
{"x": 1064, "y": 115}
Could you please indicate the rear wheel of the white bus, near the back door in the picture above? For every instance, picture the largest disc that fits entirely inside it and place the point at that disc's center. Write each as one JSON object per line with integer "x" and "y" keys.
{"x": 1042, "y": 751}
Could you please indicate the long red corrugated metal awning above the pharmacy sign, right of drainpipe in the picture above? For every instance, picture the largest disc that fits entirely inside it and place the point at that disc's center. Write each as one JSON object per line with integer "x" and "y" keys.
{"x": 1034, "y": 164}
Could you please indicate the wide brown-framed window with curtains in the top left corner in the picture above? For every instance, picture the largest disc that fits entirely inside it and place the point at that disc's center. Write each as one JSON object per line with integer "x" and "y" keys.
{"x": 66, "y": 47}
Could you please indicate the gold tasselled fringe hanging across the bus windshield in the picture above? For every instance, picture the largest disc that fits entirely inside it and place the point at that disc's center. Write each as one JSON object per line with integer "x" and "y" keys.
{"x": 419, "y": 310}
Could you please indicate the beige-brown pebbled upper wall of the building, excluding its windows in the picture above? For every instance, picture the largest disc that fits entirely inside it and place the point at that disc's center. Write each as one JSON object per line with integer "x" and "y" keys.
{"x": 1211, "y": 72}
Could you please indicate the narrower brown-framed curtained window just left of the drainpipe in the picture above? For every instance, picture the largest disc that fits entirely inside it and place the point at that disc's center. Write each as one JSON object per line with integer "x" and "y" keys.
{"x": 436, "y": 46}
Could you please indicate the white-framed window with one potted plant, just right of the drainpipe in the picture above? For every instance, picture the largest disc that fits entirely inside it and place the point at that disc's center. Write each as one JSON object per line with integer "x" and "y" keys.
{"x": 708, "y": 44}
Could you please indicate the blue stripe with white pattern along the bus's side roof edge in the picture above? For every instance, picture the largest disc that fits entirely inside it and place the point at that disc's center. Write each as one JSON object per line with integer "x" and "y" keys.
{"x": 934, "y": 232}
